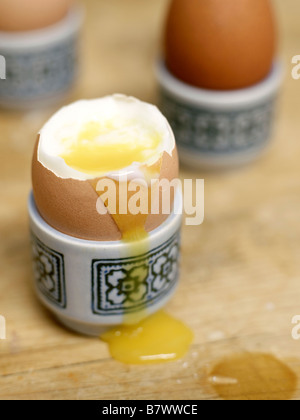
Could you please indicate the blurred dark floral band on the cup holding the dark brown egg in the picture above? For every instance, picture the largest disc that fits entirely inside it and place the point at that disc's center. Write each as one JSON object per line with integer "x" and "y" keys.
{"x": 218, "y": 132}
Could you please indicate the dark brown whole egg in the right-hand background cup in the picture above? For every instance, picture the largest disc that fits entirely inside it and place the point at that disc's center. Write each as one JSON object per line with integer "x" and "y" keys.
{"x": 220, "y": 44}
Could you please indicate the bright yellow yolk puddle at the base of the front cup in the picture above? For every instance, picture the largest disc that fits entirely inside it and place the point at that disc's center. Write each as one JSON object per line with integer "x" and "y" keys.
{"x": 157, "y": 339}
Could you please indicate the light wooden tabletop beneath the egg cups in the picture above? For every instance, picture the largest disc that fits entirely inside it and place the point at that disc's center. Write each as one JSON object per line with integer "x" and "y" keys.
{"x": 240, "y": 284}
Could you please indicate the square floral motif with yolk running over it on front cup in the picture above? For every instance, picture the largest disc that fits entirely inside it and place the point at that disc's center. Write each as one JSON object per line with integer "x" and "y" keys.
{"x": 129, "y": 284}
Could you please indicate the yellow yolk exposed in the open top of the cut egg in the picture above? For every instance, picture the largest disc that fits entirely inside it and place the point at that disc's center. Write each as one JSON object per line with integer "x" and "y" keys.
{"x": 100, "y": 149}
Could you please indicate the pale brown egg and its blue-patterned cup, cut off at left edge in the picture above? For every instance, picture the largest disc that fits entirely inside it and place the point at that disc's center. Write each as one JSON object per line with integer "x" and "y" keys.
{"x": 41, "y": 62}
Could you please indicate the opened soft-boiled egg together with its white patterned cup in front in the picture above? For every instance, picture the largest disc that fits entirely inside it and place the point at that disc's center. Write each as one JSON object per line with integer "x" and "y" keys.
{"x": 96, "y": 269}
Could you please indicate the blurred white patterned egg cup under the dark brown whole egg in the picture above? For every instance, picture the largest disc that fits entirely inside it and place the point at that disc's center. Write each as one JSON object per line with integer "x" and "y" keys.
{"x": 219, "y": 129}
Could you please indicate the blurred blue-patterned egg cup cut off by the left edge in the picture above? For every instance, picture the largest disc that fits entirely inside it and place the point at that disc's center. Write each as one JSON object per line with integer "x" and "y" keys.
{"x": 41, "y": 65}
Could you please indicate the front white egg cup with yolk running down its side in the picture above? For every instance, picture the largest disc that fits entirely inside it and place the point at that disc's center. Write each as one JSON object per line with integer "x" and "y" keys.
{"x": 90, "y": 286}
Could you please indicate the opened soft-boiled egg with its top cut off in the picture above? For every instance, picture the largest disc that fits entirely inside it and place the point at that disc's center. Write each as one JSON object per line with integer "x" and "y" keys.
{"x": 117, "y": 138}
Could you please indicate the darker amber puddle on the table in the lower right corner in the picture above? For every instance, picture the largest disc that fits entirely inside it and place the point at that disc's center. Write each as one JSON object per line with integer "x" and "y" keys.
{"x": 253, "y": 376}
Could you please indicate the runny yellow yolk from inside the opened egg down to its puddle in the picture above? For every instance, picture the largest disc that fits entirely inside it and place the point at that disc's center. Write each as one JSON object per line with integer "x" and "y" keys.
{"x": 101, "y": 149}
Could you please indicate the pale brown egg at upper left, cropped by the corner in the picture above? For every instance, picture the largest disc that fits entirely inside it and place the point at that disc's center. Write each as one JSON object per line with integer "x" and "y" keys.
{"x": 25, "y": 15}
